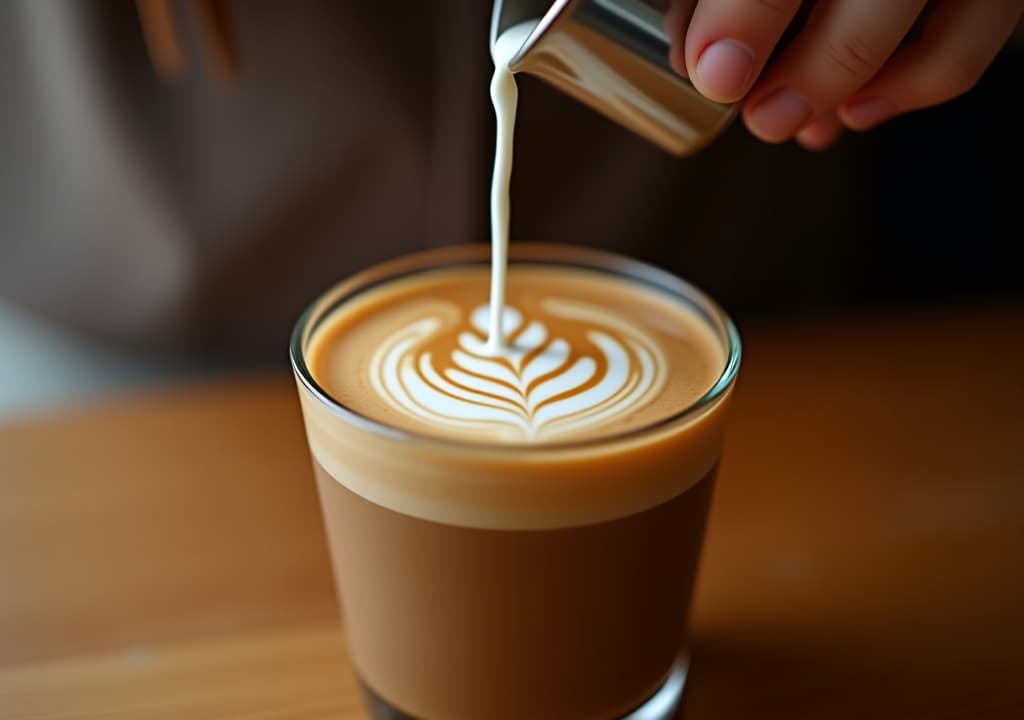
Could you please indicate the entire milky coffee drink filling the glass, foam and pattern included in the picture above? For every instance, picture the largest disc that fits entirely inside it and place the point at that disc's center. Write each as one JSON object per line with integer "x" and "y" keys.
{"x": 523, "y": 543}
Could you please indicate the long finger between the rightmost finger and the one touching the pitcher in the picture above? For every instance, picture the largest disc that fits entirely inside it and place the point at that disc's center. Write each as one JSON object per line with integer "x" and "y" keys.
{"x": 843, "y": 47}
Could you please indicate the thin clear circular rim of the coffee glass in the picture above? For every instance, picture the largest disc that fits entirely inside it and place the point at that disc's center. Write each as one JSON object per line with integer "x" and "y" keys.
{"x": 553, "y": 255}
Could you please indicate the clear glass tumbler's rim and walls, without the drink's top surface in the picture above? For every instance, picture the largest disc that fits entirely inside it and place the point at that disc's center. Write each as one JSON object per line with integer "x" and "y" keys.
{"x": 524, "y": 592}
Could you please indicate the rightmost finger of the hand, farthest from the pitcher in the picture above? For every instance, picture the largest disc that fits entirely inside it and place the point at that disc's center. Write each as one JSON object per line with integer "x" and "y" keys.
{"x": 959, "y": 43}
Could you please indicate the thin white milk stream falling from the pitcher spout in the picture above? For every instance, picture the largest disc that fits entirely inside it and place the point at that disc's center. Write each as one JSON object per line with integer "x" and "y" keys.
{"x": 504, "y": 95}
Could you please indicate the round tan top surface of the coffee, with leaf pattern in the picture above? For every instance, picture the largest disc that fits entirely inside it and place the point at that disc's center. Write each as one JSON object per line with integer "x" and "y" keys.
{"x": 585, "y": 356}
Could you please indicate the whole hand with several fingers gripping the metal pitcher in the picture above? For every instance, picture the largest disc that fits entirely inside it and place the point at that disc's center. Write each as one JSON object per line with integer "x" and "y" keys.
{"x": 845, "y": 68}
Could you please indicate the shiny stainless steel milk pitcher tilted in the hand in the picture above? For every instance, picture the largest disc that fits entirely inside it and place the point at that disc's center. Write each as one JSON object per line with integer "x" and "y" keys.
{"x": 614, "y": 57}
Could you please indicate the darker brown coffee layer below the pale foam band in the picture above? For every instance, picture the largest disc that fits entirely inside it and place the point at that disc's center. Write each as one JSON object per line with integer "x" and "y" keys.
{"x": 461, "y": 623}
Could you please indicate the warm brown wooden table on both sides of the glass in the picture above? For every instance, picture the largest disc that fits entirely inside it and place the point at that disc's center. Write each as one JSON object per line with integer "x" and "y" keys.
{"x": 163, "y": 558}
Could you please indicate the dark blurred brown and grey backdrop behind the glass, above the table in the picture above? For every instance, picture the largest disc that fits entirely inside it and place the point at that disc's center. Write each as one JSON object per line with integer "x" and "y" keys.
{"x": 169, "y": 205}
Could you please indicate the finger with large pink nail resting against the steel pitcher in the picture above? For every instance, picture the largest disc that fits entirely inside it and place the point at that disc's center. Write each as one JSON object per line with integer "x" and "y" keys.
{"x": 728, "y": 44}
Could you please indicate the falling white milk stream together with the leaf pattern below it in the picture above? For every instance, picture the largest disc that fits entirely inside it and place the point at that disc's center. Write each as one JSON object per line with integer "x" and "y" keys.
{"x": 536, "y": 388}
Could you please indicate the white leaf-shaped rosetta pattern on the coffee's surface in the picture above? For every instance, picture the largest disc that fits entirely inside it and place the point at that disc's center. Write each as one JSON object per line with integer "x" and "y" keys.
{"x": 536, "y": 389}
